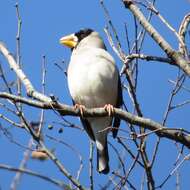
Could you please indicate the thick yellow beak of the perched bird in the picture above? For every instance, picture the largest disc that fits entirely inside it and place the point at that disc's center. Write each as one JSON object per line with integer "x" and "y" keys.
{"x": 69, "y": 41}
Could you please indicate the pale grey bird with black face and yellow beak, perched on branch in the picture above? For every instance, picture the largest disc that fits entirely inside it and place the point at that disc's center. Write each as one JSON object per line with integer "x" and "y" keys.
{"x": 94, "y": 81}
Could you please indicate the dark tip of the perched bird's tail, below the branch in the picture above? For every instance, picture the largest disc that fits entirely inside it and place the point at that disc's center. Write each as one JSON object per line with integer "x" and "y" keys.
{"x": 103, "y": 160}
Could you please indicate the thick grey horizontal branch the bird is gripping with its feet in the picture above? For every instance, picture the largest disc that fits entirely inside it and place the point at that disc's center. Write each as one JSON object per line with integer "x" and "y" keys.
{"x": 177, "y": 135}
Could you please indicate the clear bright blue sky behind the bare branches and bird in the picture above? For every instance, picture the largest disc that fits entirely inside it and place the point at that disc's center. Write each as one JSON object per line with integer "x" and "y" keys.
{"x": 43, "y": 23}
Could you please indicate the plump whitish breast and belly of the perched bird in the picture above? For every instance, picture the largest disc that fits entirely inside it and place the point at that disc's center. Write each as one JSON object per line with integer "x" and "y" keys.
{"x": 93, "y": 77}
